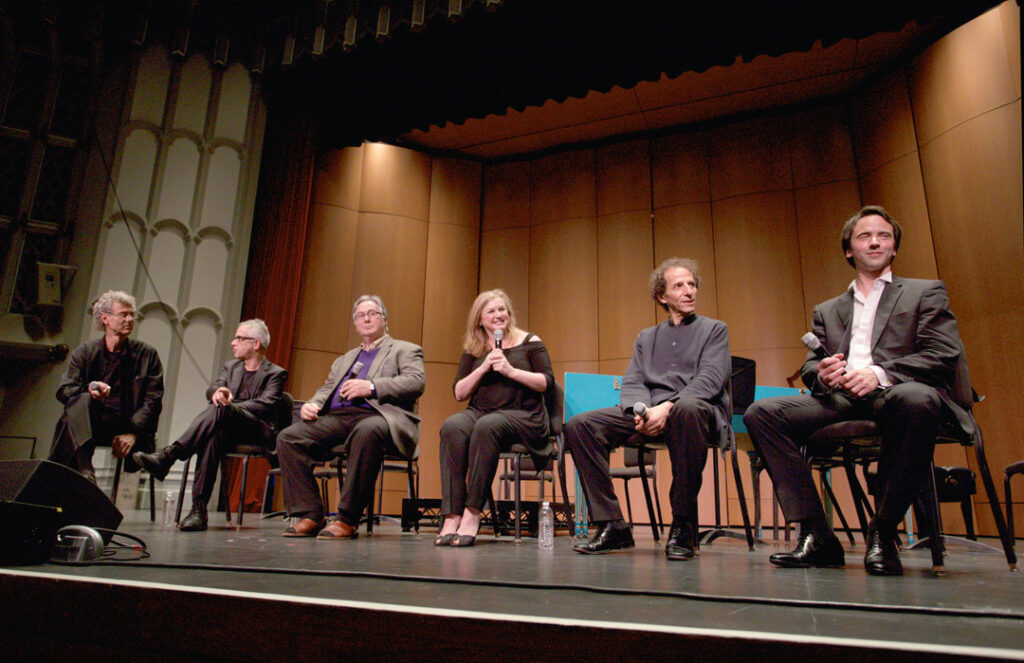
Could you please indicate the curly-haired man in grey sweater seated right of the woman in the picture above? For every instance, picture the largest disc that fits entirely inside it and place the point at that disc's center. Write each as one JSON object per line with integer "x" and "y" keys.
{"x": 679, "y": 371}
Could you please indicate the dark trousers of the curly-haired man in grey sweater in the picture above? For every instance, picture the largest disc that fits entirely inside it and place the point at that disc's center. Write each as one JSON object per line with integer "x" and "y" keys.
{"x": 592, "y": 436}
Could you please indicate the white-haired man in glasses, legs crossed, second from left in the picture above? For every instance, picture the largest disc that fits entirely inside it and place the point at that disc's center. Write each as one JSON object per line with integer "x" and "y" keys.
{"x": 244, "y": 402}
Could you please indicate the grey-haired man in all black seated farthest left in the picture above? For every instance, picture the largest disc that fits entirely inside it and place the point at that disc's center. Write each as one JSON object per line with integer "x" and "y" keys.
{"x": 112, "y": 391}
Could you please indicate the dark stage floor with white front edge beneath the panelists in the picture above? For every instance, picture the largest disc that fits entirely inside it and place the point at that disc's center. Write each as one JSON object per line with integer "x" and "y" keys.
{"x": 729, "y": 595}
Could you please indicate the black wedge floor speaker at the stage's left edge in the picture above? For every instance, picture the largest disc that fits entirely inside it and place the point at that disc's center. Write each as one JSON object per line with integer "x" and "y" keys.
{"x": 37, "y": 499}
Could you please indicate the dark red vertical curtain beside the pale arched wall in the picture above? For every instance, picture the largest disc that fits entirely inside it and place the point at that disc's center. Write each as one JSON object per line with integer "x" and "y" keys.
{"x": 281, "y": 221}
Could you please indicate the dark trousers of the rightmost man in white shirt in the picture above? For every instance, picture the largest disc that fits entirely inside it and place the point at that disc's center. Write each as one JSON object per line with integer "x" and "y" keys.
{"x": 908, "y": 416}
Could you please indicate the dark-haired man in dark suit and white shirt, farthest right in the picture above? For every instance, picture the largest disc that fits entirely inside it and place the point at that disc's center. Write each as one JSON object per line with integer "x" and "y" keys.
{"x": 893, "y": 347}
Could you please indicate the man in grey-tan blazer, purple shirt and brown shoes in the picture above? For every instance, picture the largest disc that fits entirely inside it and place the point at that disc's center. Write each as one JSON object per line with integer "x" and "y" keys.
{"x": 368, "y": 404}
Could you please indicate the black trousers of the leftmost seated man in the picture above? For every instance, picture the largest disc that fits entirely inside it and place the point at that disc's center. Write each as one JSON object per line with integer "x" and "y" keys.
{"x": 87, "y": 425}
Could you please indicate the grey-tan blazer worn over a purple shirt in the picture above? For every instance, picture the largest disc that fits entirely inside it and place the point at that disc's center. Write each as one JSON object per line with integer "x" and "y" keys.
{"x": 399, "y": 376}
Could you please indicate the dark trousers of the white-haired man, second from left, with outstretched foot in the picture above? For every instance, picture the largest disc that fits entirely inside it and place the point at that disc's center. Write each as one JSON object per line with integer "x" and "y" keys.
{"x": 211, "y": 435}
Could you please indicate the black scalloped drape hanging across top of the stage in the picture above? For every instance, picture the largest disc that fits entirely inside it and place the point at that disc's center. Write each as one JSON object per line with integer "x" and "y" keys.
{"x": 530, "y": 52}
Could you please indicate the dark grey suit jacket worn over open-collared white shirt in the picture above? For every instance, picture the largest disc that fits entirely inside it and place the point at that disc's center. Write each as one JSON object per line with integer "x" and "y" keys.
{"x": 915, "y": 339}
